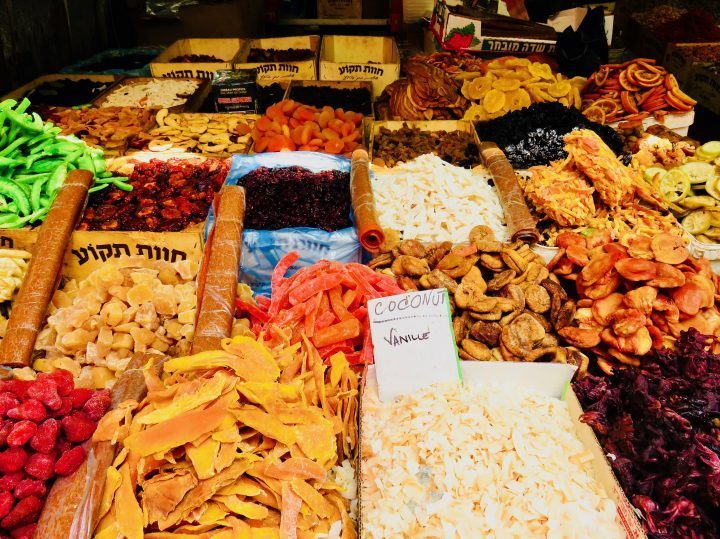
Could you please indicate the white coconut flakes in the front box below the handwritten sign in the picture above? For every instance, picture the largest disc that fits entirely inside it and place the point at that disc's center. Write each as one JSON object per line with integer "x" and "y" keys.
{"x": 489, "y": 461}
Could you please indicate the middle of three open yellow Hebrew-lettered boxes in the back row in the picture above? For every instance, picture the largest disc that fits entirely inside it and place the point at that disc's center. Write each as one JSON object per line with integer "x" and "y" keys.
{"x": 274, "y": 71}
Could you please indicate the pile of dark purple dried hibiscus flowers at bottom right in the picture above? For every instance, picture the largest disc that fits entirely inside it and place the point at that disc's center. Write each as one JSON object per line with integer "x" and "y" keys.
{"x": 659, "y": 423}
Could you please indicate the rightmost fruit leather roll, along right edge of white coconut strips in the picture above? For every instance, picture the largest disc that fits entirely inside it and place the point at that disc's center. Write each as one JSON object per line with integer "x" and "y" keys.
{"x": 521, "y": 224}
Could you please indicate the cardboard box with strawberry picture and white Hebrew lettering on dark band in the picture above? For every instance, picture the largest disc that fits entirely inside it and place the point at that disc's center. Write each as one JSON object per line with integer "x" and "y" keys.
{"x": 456, "y": 31}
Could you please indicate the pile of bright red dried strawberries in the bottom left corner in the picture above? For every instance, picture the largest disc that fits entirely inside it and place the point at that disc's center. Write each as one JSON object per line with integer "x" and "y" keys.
{"x": 43, "y": 429}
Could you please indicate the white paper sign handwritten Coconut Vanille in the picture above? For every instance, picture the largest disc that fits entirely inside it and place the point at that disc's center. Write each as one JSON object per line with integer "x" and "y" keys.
{"x": 414, "y": 343}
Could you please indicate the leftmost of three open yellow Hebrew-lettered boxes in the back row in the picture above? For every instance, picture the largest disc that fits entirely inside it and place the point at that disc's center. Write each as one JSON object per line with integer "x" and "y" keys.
{"x": 227, "y": 49}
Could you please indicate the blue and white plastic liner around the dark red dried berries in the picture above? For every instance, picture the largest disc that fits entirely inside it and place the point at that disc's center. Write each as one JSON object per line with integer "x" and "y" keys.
{"x": 262, "y": 249}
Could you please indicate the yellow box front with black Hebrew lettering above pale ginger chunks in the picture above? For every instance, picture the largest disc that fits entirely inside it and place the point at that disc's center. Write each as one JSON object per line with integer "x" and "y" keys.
{"x": 90, "y": 249}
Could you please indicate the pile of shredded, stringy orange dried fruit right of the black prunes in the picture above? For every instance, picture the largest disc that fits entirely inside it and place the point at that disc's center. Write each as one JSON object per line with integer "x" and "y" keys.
{"x": 592, "y": 189}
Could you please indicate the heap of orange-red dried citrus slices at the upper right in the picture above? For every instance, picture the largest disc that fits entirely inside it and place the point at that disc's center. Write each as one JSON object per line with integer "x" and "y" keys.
{"x": 633, "y": 91}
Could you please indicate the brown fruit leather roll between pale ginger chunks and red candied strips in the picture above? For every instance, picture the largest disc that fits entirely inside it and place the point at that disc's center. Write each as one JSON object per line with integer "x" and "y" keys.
{"x": 218, "y": 288}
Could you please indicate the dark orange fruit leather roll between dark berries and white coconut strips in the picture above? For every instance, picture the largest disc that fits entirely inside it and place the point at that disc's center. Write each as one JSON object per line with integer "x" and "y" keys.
{"x": 369, "y": 231}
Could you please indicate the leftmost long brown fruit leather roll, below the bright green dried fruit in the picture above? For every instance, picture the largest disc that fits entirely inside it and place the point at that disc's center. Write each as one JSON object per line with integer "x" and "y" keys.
{"x": 41, "y": 280}
